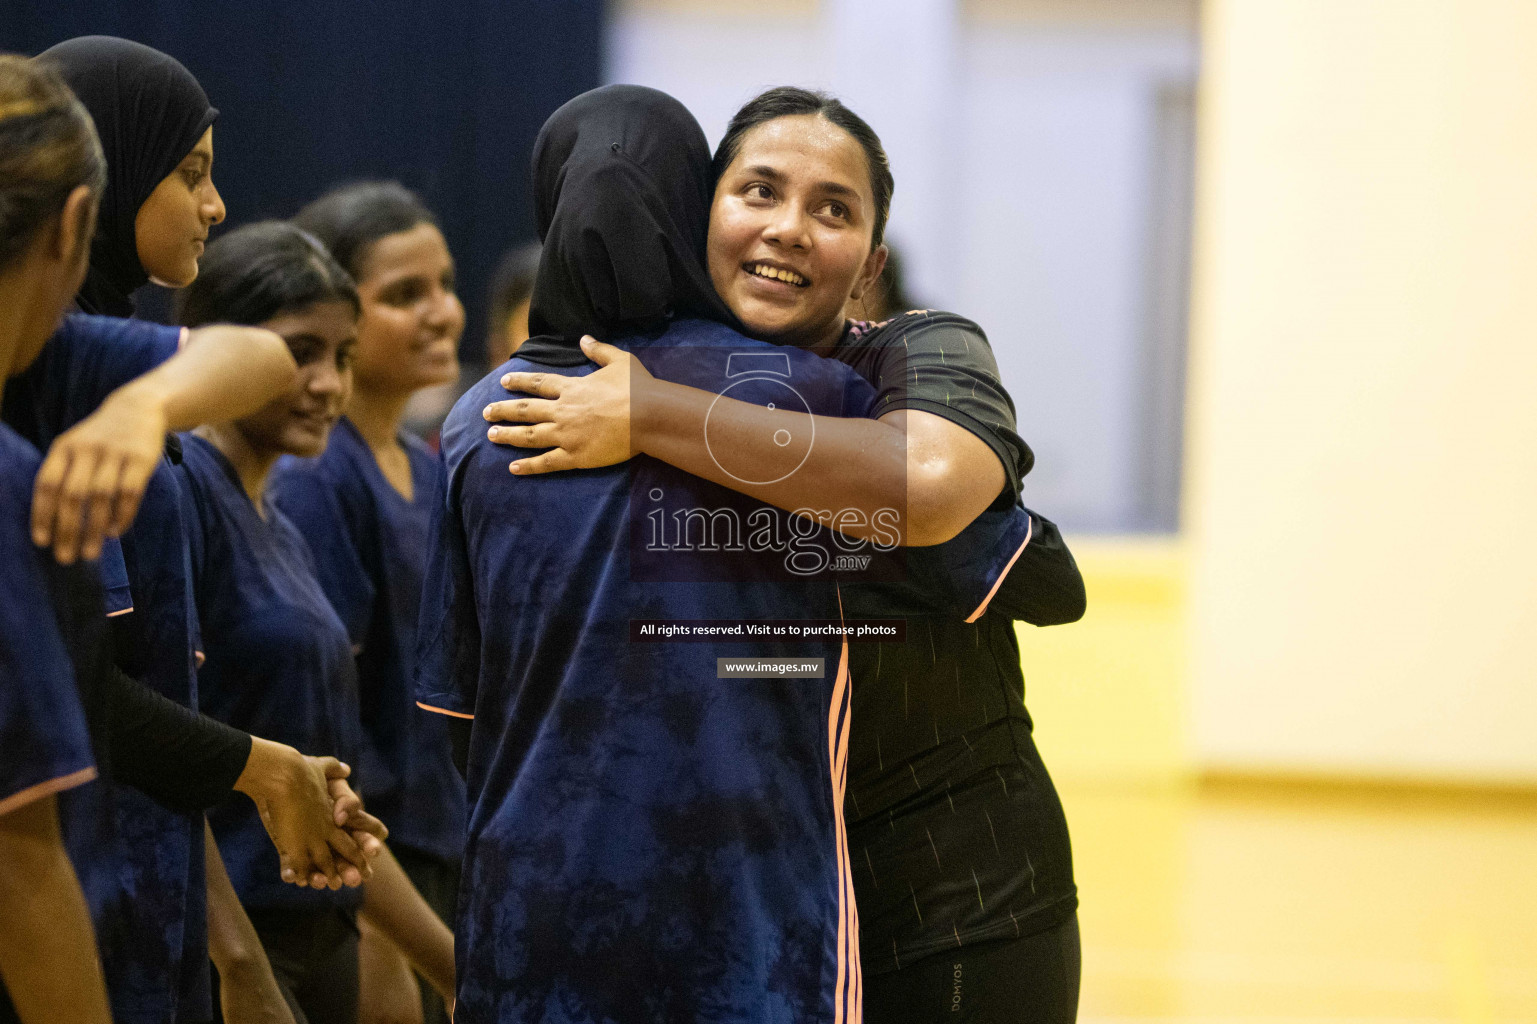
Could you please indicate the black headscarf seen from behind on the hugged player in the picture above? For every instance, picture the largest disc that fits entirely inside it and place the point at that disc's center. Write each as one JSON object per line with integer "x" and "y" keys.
{"x": 622, "y": 191}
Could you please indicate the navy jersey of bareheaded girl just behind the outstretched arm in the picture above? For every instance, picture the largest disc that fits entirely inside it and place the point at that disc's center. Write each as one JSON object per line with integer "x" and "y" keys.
{"x": 279, "y": 662}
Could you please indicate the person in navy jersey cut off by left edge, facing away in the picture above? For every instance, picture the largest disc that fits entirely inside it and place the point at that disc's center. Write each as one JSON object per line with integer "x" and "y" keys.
{"x": 50, "y": 173}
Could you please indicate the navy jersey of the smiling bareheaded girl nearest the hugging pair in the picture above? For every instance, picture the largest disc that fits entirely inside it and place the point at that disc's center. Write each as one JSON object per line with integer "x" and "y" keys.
{"x": 371, "y": 550}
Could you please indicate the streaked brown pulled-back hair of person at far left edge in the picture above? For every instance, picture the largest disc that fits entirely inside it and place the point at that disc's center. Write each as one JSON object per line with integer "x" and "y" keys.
{"x": 48, "y": 148}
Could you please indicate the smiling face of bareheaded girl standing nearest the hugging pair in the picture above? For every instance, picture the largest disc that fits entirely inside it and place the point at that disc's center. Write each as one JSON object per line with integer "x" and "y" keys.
{"x": 413, "y": 321}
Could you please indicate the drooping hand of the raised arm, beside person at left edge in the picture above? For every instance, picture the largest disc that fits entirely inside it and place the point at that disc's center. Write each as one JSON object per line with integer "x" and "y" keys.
{"x": 96, "y": 473}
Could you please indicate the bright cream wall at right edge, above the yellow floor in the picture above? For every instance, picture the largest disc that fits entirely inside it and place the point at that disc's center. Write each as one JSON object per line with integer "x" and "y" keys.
{"x": 1364, "y": 361}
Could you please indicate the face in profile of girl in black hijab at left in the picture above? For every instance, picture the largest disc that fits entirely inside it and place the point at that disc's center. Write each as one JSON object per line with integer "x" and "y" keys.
{"x": 171, "y": 228}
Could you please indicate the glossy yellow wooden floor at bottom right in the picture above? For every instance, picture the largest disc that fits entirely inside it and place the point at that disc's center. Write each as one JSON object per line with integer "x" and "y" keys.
{"x": 1281, "y": 905}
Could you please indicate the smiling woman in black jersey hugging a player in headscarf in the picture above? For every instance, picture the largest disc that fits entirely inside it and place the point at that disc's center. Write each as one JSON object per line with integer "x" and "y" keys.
{"x": 975, "y": 859}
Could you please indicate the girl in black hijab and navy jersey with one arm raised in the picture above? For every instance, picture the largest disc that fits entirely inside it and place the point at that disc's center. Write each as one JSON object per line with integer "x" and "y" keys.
{"x": 158, "y": 207}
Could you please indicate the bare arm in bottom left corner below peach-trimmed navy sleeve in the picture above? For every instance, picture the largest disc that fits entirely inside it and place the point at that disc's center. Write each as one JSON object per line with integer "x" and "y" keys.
{"x": 48, "y": 954}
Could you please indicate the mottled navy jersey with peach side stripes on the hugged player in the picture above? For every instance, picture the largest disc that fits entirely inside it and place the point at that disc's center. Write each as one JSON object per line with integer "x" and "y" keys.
{"x": 646, "y": 842}
